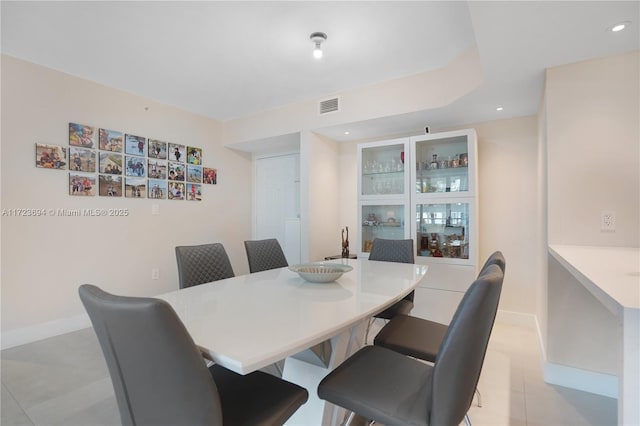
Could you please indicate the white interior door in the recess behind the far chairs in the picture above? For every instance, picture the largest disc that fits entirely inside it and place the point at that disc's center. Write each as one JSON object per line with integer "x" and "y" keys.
{"x": 277, "y": 202}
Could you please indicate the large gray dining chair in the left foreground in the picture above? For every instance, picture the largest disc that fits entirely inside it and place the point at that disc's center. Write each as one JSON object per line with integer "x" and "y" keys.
{"x": 160, "y": 378}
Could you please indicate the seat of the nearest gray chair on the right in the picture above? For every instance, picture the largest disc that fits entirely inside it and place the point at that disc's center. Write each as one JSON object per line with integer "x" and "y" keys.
{"x": 398, "y": 393}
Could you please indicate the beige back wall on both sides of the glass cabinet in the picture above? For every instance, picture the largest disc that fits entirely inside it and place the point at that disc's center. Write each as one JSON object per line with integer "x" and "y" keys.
{"x": 508, "y": 182}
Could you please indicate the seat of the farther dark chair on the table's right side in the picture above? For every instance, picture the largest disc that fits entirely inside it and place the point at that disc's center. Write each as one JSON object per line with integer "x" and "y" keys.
{"x": 412, "y": 336}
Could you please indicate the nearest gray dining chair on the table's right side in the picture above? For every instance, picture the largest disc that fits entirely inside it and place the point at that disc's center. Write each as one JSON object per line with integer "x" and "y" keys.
{"x": 390, "y": 388}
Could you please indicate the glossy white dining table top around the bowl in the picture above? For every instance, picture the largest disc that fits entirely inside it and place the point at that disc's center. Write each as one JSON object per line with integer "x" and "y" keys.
{"x": 248, "y": 322}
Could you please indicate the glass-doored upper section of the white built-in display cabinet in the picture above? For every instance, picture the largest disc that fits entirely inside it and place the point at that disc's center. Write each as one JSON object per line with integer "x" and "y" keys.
{"x": 424, "y": 188}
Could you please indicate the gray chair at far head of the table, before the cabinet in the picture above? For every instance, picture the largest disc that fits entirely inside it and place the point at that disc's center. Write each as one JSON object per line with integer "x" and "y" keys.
{"x": 400, "y": 251}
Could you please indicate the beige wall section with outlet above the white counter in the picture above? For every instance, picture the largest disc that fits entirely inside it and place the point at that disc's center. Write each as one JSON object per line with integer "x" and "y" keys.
{"x": 593, "y": 150}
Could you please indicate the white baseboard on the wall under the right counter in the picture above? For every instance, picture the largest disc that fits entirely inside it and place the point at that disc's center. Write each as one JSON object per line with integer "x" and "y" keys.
{"x": 583, "y": 380}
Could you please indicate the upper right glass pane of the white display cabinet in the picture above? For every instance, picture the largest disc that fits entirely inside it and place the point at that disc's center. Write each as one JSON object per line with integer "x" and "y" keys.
{"x": 442, "y": 165}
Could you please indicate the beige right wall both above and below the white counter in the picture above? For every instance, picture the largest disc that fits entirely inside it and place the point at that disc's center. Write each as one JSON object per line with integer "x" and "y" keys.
{"x": 593, "y": 161}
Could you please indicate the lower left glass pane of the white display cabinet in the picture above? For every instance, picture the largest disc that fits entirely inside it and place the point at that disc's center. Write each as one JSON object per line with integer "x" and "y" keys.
{"x": 381, "y": 221}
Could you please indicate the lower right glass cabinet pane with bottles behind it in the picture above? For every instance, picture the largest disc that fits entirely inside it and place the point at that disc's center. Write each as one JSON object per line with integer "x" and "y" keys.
{"x": 443, "y": 230}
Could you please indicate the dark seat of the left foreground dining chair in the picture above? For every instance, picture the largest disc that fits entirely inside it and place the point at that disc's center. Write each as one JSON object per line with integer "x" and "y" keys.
{"x": 257, "y": 398}
